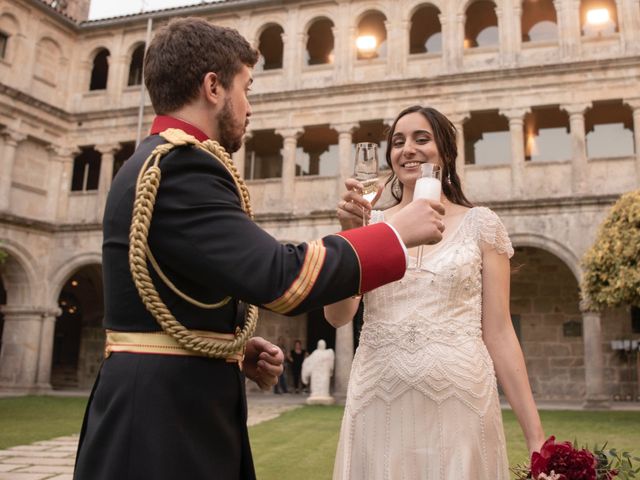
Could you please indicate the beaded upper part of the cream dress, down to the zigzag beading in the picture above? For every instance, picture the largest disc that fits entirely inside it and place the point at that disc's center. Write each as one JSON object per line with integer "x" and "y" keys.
{"x": 424, "y": 331}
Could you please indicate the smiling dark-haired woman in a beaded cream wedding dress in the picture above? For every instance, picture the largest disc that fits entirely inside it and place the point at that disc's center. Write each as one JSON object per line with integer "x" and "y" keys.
{"x": 422, "y": 400}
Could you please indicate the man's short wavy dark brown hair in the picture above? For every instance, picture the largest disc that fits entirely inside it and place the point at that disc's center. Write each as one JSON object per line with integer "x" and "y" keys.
{"x": 183, "y": 52}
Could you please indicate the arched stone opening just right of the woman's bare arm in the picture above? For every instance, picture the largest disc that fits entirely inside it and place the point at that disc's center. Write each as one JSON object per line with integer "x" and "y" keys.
{"x": 545, "y": 311}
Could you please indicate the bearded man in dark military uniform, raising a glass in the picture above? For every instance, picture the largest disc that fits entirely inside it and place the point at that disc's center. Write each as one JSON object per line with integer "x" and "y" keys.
{"x": 158, "y": 410}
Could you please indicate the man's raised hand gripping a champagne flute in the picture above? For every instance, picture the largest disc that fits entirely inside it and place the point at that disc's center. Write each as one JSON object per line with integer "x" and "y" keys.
{"x": 419, "y": 223}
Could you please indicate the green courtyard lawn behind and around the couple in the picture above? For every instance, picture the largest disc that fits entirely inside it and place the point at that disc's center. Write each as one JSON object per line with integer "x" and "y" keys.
{"x": 302, "y": 443}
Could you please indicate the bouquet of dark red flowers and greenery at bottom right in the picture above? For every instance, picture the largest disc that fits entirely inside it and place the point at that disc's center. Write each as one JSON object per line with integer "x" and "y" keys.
{"x": 565, "y": 461}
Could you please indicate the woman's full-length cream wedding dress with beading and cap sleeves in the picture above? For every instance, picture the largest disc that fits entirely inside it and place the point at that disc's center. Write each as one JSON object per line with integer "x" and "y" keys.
{"x": 422, "y": 402}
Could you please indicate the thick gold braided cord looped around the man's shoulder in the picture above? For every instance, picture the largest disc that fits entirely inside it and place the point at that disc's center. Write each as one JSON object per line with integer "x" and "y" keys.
{"x": 147, "y": 186}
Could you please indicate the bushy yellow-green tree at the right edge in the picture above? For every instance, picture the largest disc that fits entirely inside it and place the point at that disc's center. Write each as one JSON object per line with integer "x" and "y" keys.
{"x": 611, "y": 266}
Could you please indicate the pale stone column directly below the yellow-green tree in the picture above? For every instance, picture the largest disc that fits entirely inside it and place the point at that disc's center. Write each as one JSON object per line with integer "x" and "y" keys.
{"x": 595, "y": 396}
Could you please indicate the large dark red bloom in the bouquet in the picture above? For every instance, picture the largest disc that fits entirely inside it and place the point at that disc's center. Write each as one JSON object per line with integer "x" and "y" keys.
{"x": 563, "y": 459}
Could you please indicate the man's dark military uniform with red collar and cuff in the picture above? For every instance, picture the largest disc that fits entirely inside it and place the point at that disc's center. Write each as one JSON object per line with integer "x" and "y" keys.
{"x": 166, "y": 415}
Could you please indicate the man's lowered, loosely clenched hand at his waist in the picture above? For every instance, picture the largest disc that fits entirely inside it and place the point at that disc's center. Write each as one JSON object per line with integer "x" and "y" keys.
{"x": 263, "y": 362}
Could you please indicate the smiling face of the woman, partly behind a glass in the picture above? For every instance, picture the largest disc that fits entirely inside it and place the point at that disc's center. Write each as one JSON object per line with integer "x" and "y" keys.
{"x": 412, "y": 144}
